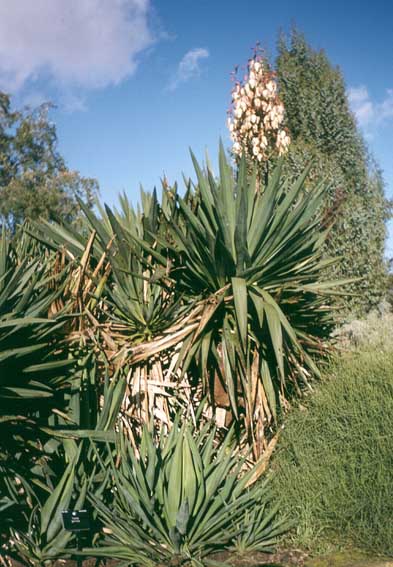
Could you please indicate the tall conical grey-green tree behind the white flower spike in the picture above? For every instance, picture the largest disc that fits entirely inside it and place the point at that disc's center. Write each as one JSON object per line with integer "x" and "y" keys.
{"x": 324, "y": 130}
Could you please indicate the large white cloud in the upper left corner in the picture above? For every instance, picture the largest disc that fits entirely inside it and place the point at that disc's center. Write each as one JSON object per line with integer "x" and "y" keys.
{"x": 75, "y": 44}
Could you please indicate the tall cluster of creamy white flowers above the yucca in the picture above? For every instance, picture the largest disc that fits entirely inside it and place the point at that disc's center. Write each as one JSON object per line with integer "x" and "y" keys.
{"x": 257, "y": 115}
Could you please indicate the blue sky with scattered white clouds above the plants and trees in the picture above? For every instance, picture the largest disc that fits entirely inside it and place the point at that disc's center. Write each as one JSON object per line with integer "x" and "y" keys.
{"x": 136, "y": 82}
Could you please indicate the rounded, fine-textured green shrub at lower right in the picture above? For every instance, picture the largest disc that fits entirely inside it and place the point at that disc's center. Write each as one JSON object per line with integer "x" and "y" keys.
{"x": 334, "y": 466}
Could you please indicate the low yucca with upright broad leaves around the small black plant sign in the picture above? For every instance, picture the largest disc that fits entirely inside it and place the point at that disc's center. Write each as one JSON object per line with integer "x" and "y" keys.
{"x": 69, "y": 468}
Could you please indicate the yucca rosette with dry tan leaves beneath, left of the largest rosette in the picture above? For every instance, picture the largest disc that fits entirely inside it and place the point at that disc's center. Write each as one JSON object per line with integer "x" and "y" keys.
{"x": 141, "y": 315}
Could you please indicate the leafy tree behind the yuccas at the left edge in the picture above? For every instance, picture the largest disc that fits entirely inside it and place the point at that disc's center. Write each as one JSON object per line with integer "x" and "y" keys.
{"x": 34, "y": 179}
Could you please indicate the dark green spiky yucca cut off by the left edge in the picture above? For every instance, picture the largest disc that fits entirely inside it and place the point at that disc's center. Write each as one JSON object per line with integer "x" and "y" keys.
{"x": 33, "y": 372}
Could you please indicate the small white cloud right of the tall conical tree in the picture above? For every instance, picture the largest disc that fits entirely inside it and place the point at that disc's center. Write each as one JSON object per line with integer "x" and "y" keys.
{"x": 367, "y": 111}
